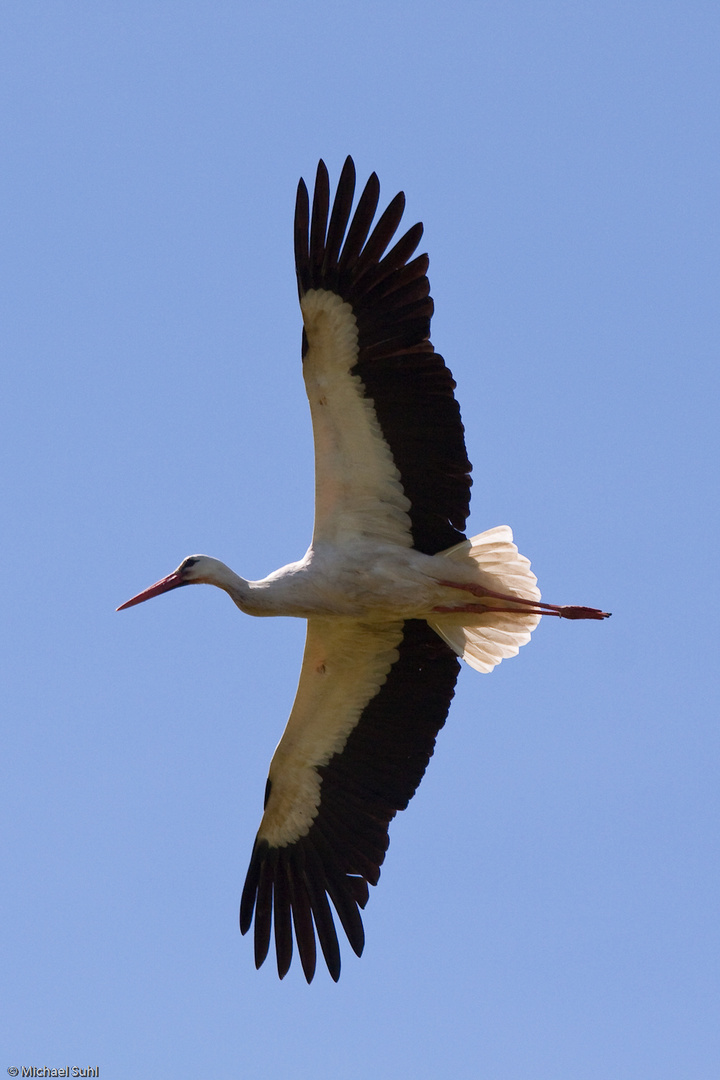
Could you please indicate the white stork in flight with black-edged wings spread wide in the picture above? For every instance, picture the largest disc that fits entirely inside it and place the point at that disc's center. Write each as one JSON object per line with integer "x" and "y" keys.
{"x": 392, "y": 590}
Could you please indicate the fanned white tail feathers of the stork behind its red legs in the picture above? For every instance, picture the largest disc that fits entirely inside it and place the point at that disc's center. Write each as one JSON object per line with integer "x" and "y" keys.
{"x": 483, "y": 641}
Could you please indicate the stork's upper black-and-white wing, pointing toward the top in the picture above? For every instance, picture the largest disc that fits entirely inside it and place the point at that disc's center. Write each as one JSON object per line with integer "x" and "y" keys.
{"x": 390, "y": 452}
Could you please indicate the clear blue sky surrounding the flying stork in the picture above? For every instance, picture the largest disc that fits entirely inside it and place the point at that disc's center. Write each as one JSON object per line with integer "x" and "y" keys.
{"x": 549, "y": 908}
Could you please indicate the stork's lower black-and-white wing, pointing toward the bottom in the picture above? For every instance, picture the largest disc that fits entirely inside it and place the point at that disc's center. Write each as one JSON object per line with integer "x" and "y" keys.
{"x": 370, "y": 705}
